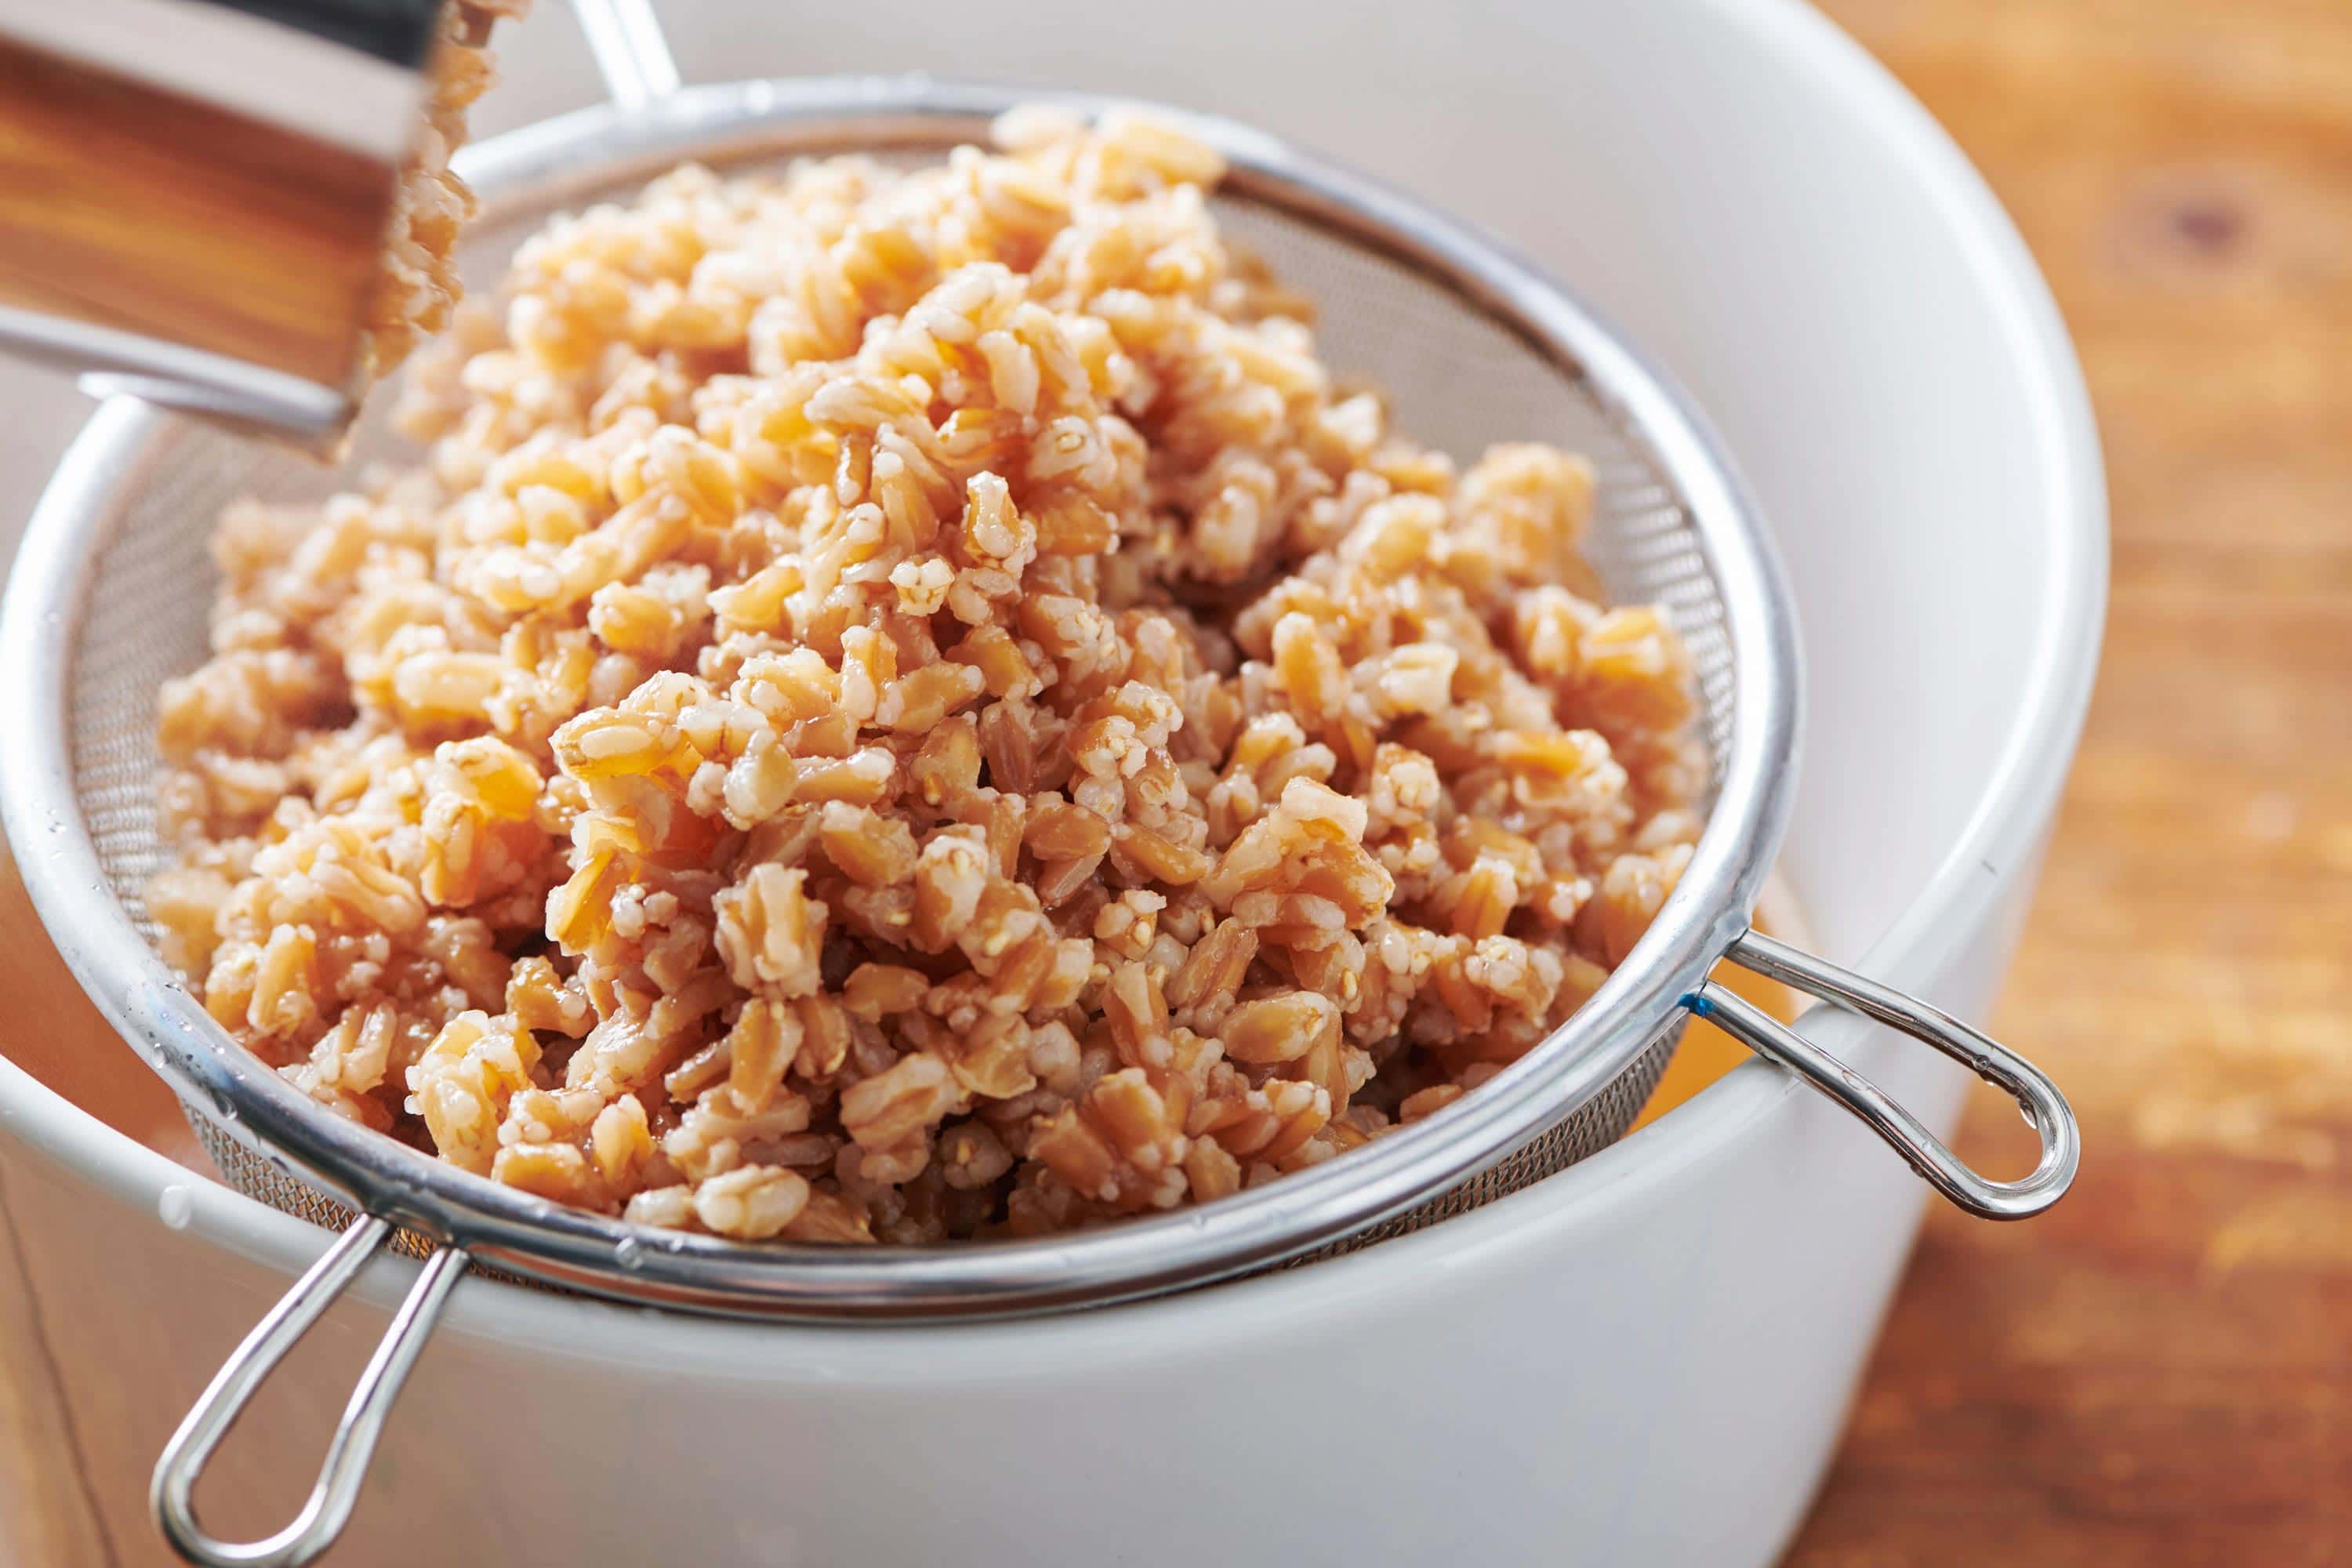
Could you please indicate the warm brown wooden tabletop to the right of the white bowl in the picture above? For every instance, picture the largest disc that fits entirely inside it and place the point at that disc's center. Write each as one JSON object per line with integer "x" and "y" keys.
{"x": 2160, "y": 1372}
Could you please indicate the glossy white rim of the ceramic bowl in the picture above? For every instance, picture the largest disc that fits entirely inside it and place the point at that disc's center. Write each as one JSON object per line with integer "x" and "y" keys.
{"x": 1982, "y": 864}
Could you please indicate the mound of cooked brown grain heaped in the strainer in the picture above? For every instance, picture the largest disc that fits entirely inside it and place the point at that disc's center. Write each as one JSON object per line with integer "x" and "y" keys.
{"x": 909, "y": 706}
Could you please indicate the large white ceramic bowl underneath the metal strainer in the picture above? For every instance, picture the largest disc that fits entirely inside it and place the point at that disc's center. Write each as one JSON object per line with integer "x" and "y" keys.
{"x": 1638, "y": 1362}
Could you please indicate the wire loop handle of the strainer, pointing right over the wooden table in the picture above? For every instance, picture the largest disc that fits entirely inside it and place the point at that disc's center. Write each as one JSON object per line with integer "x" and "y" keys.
{"x": 2045, "y": 1108}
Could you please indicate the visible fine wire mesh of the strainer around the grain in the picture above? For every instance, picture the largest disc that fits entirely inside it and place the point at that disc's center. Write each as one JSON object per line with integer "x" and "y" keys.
{"x": 1457, "y": 380}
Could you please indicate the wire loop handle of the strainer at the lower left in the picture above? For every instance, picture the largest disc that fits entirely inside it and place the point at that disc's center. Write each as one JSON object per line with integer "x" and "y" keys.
{"x": 220, "y": 1407}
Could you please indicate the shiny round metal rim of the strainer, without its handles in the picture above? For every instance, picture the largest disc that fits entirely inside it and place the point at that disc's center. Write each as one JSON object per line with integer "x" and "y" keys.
{"x": 540, "y": 166}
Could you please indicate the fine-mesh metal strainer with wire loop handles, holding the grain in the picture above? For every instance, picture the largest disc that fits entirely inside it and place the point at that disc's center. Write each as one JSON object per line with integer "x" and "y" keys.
{"x": 112, "y": 596}
